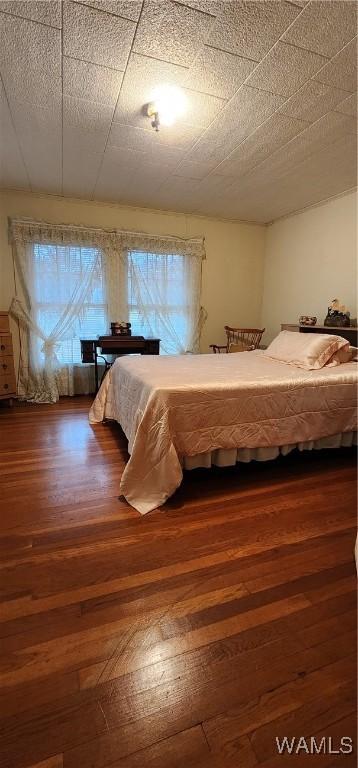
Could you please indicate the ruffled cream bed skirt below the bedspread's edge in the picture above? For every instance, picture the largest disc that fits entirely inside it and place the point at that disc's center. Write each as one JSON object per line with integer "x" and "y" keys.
{"x": 223, "y": 457}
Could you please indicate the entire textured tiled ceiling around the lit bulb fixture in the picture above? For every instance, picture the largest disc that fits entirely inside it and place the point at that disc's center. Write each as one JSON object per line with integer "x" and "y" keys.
{"x": 270, "y": 124}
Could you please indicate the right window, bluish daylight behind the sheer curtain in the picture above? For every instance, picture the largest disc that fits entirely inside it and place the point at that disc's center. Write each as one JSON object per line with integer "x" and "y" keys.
{"x": 159, "y": 298}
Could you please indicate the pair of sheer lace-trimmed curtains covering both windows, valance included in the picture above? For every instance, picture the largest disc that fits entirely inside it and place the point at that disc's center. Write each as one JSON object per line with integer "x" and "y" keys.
{"x": 72, "y": 281}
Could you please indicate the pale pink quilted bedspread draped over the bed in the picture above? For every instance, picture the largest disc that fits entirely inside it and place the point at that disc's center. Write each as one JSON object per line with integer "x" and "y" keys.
{"x": 170, "y": 407}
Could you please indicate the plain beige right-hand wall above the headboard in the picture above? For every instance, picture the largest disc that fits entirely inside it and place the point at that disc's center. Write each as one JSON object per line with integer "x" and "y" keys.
{"x": 310, "y": 258}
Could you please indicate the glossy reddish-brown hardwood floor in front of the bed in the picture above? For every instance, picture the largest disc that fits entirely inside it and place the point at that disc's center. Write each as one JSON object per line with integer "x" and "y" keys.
{"x": 191, "y": 637}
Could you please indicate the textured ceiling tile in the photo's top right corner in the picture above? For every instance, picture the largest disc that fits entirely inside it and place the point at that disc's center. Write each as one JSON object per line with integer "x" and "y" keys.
{"x": 324, "y": 27}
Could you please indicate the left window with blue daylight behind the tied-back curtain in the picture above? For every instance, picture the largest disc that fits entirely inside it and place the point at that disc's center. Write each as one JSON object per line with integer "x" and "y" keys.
{"x": 56, "y": 272}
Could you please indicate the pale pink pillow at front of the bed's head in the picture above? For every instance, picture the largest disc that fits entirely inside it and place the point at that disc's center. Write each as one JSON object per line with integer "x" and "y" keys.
{"x": 305, "y": 350}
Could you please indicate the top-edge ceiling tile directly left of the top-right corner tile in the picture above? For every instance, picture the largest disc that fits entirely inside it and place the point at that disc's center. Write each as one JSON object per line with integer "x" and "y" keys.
{"x": 251, "y": 28}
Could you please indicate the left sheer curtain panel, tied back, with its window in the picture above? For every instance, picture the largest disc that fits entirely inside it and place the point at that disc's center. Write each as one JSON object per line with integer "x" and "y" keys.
{"x": 60, "y": 297}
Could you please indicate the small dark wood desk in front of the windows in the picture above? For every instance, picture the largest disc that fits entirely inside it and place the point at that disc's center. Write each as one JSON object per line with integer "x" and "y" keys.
{"x": 115, "y": 345}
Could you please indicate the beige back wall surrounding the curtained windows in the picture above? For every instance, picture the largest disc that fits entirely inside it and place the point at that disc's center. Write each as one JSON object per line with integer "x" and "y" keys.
{"x": 232, "y": 272}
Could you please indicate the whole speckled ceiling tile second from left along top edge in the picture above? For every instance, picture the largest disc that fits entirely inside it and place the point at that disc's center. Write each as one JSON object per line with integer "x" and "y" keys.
{"x": 95, "y": 36}
